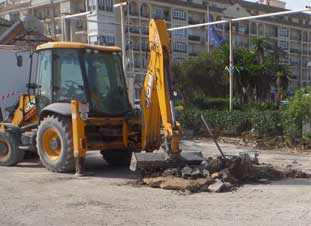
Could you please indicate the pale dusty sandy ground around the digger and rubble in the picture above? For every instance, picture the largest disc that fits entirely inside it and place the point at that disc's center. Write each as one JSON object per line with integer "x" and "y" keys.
{"x": 32, "y": 196}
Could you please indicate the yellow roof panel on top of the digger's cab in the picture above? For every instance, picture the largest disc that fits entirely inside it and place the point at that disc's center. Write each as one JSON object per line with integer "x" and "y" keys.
{"x": 77, "y": 45}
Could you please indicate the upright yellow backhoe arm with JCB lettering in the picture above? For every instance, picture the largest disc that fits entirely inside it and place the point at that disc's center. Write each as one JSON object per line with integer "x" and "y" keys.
{"x": 156, "y": 97}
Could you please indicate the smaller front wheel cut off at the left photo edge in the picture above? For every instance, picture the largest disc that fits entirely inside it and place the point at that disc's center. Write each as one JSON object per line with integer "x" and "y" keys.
{"x": 10, "y": 155}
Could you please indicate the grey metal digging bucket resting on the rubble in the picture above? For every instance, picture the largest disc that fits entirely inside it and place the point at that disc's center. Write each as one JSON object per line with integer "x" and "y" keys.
{"x": 161, "y": 160}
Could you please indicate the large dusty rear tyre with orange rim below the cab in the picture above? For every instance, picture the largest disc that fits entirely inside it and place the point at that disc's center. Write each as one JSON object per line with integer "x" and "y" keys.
{"x": 63, "y": 160}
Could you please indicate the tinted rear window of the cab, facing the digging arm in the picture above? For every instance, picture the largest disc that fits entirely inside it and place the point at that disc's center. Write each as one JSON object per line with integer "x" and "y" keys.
{"x": 106, "y": 83}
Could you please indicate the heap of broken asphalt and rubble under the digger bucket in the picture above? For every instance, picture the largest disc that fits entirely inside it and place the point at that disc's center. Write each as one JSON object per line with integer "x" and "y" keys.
{"x": 218, "y": 175}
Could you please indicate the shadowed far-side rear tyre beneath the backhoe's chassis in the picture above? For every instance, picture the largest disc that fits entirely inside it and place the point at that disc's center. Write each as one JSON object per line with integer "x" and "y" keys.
{"x": 117, "y": 157}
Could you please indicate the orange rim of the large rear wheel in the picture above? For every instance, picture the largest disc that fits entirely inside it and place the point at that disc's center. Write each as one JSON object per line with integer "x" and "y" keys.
{"x": 51, "y": 144}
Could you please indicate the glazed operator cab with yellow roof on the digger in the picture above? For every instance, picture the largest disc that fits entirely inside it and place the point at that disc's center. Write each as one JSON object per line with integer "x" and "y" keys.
{"x": 65, "y": 71}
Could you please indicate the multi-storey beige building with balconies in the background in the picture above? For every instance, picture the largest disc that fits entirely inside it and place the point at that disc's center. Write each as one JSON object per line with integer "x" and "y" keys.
{"x": 291, "y": 33}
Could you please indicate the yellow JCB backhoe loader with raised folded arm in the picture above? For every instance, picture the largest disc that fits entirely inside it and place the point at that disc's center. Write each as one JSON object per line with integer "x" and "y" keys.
{"x": 77, "y": 102}
